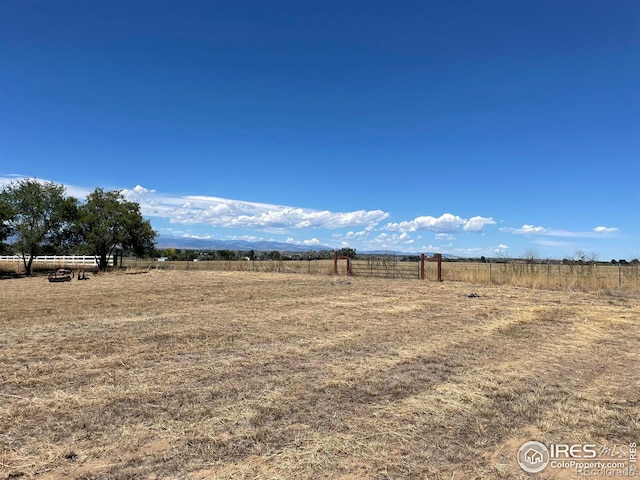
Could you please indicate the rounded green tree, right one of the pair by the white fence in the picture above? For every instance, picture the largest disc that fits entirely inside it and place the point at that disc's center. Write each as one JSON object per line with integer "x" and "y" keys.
{"x": 108, "y": 220}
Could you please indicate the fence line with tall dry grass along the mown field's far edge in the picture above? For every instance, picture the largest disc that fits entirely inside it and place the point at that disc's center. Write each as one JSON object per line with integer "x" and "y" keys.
{"x": 534, "y": 275}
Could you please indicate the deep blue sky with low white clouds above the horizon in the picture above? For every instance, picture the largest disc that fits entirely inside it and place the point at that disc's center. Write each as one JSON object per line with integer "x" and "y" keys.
{"x": 465, "y": 127}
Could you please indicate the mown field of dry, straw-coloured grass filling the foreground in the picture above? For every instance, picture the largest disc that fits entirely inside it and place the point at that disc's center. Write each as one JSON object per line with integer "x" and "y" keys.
{"x": 221, "y": 375}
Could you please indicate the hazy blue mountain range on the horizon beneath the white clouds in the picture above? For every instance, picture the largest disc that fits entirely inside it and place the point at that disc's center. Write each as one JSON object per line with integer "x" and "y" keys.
{"x": 258, "y": 246}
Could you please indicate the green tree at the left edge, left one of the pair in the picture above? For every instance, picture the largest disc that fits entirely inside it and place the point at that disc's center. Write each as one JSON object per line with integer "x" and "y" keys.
{"x": 39, "y": 215}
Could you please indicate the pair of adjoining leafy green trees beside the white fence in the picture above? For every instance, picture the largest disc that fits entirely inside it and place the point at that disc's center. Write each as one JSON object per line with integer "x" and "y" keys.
{"x": 37, "y": 218}
